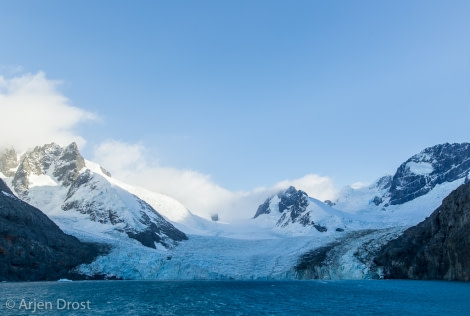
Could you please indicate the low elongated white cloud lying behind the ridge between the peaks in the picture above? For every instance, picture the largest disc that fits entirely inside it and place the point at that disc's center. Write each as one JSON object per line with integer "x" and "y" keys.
{"x": 129, "y": 163}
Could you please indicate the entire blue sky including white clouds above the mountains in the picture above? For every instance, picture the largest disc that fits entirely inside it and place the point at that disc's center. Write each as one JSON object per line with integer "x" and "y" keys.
{"x": 210, "y": 101}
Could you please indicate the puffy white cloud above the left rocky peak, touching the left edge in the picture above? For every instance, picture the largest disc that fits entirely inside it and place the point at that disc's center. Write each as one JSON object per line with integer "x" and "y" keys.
{"x": 33, "y": 112}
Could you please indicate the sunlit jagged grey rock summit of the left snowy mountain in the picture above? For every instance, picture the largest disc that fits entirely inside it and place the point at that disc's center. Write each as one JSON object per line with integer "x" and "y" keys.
{"x": 63, "y": 163}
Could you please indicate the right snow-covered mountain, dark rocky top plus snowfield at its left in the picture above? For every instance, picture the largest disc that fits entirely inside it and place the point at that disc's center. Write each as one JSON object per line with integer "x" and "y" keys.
{"x": 421, "y": 182}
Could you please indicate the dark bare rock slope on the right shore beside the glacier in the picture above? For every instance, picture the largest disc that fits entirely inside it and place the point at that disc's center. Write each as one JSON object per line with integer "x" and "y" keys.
{"x": 437, "y": 248}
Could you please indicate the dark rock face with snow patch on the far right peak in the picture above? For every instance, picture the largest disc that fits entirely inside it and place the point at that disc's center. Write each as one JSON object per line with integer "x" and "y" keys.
{"x": 422, "y": 172}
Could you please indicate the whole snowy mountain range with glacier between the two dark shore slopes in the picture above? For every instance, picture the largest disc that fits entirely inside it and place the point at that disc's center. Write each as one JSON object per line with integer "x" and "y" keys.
{"x": 291, "y": 235}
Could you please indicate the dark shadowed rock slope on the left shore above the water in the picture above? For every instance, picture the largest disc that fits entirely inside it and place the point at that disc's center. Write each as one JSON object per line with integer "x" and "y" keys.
{"x": 32, "y": 247}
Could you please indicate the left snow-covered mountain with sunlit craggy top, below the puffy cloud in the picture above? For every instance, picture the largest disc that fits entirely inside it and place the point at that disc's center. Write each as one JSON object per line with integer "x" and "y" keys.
{"x": 83, "y": 199}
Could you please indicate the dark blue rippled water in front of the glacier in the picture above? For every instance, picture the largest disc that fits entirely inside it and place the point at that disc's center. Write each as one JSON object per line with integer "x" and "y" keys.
{"x": 235, "y": 298}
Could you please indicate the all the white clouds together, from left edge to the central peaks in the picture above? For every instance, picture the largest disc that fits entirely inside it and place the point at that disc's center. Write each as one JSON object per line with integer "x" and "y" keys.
{"x": 35, "y": 112}
